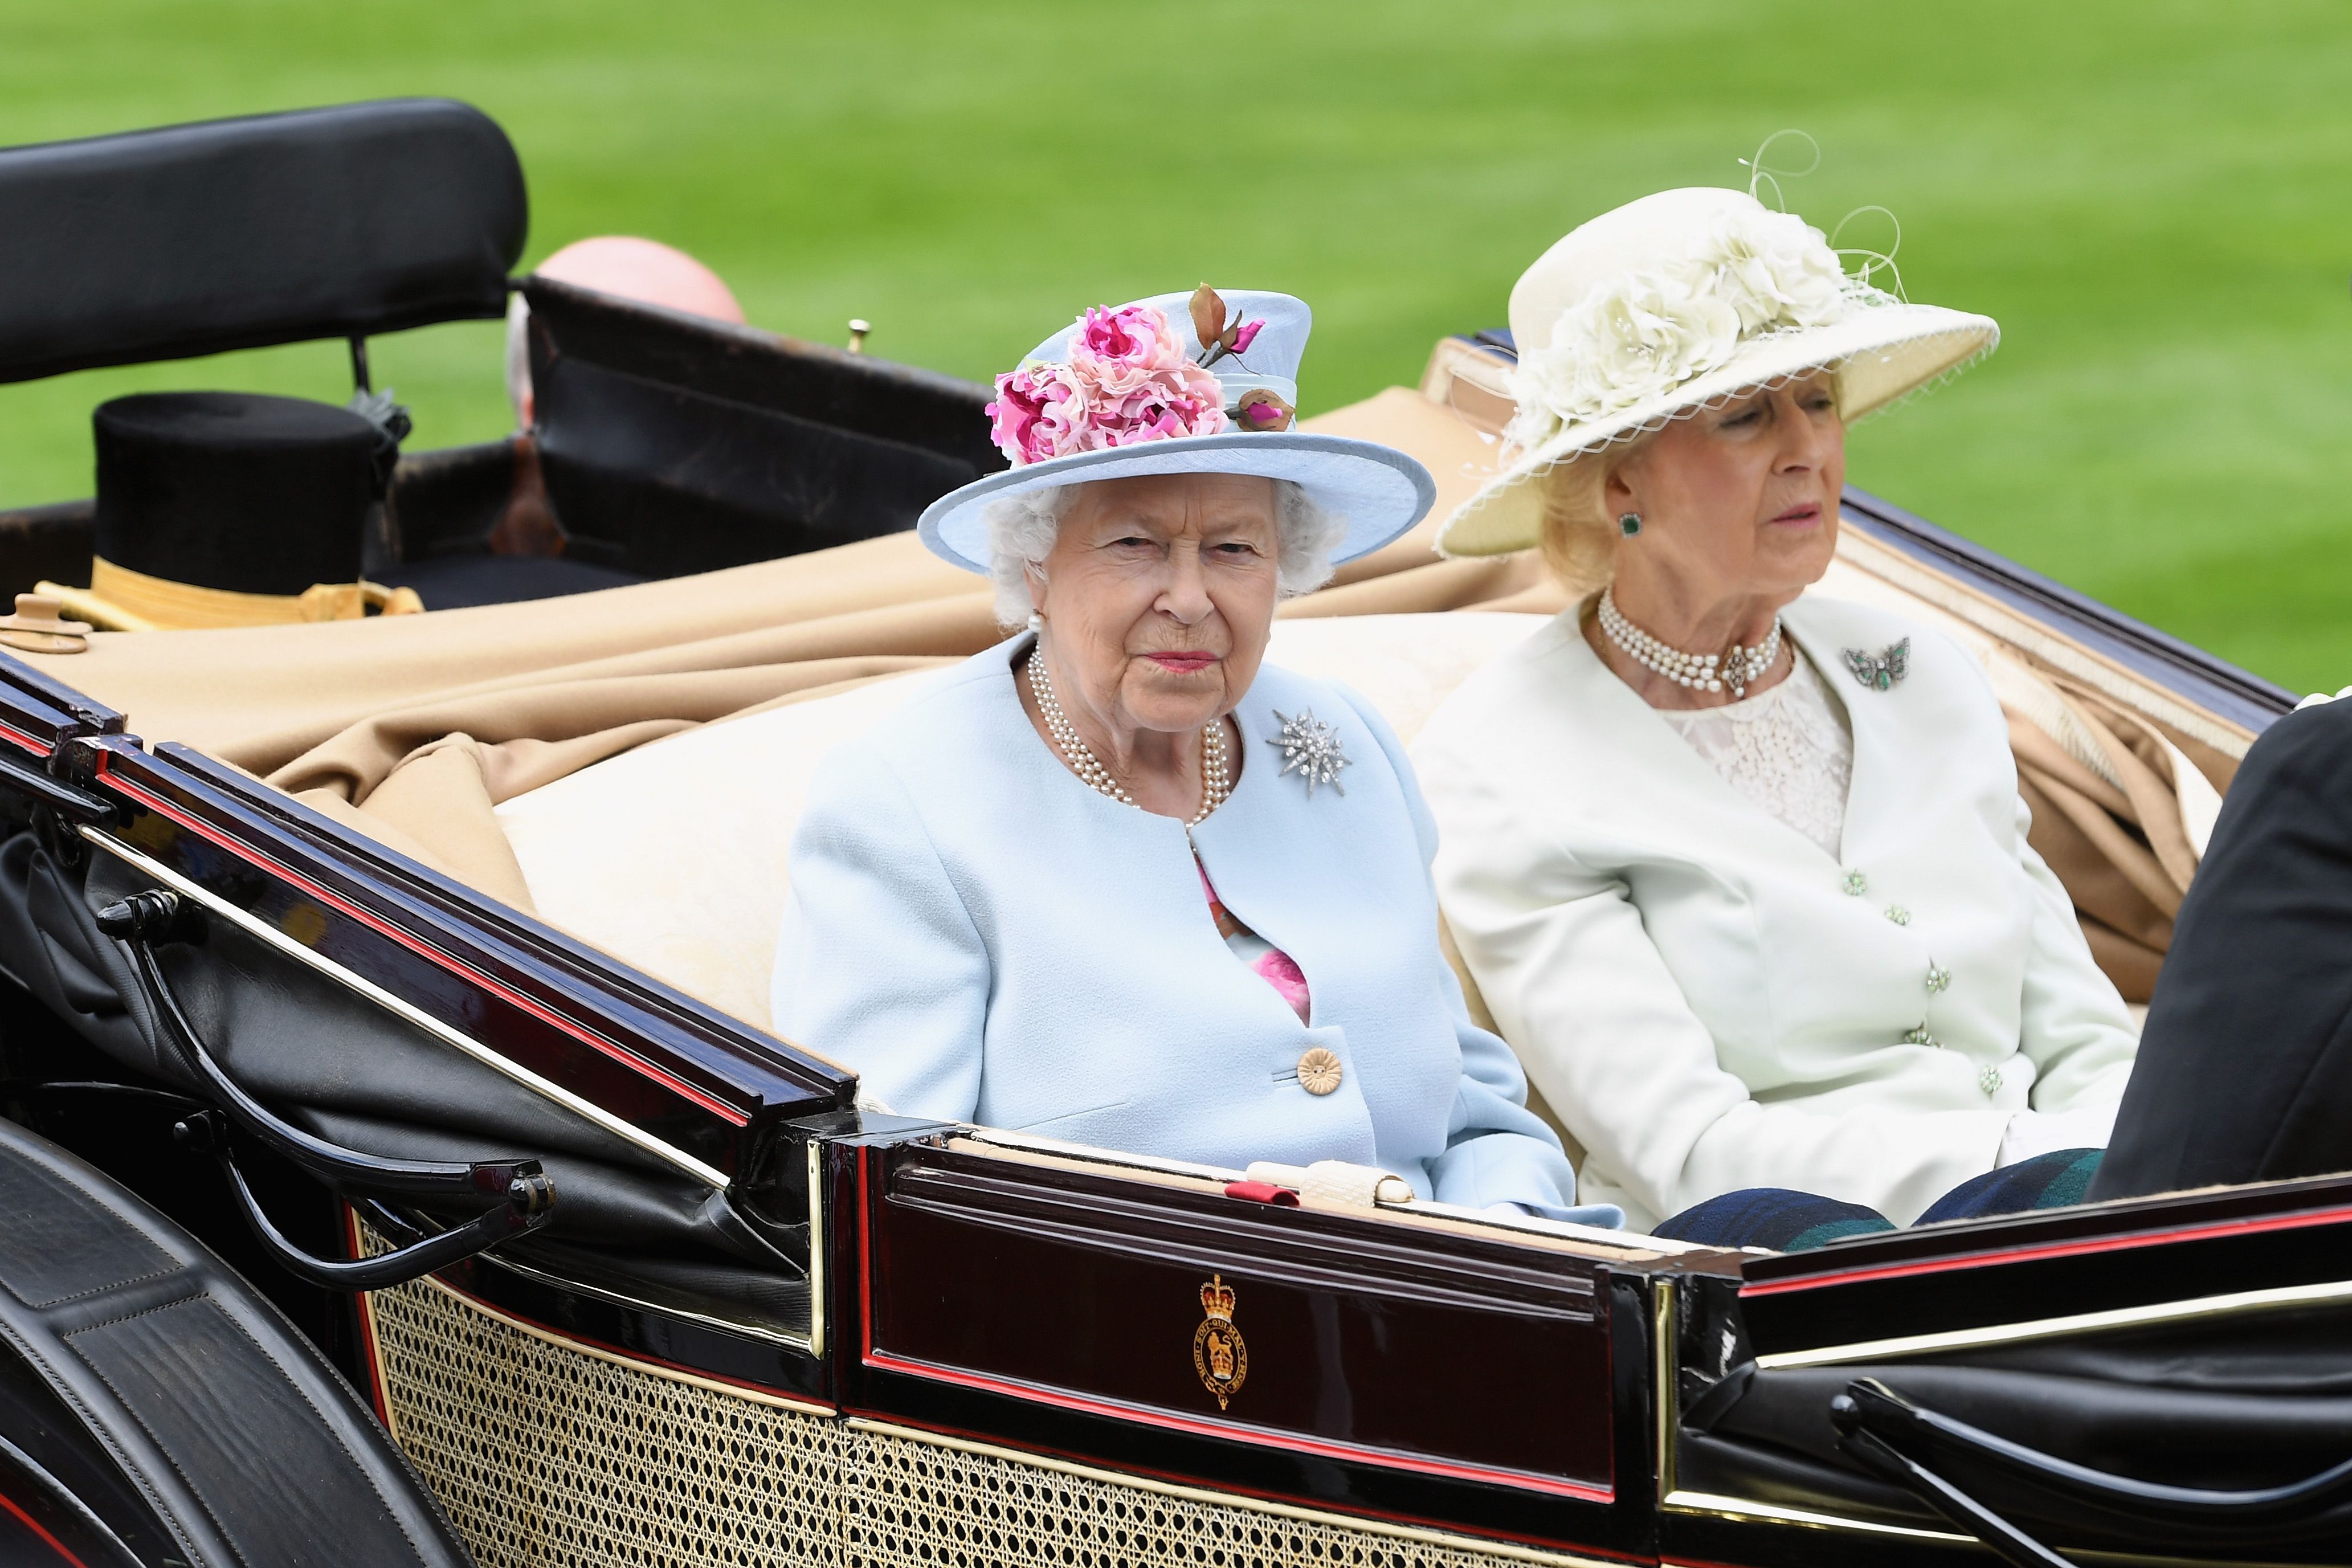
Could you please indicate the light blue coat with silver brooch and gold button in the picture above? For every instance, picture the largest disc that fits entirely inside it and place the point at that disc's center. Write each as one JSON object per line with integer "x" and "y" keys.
{"x": 991, "y": 942}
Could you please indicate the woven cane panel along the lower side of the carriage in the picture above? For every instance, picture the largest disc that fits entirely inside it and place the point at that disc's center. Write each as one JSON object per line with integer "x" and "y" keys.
{"x": 556, "y": 1459}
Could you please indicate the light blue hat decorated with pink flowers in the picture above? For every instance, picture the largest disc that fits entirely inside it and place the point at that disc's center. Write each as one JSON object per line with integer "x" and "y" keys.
{"x": 1128, "y": 391}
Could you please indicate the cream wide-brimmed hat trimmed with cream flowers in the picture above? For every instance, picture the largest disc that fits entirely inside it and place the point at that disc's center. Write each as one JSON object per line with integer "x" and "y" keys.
{"x": 1681, "y": 302}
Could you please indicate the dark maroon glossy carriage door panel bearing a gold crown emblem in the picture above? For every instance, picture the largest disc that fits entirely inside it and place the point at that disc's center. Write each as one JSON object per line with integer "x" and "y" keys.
{"x": 1365, "y": 1341}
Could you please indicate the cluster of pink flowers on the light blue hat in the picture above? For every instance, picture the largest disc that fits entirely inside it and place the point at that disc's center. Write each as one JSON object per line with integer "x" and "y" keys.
{"x": 1128, "y": 382}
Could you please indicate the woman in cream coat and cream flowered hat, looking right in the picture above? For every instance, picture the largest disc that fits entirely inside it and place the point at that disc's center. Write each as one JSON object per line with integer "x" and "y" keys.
{"x": 1742, "y": 873}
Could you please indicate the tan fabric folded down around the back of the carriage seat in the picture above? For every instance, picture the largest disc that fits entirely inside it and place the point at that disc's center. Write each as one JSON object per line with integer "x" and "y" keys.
{"x": 415, "y": 728}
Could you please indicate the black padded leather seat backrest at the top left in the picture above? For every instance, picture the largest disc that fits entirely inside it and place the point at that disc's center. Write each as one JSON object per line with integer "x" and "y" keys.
{"x": 239, "y": 234}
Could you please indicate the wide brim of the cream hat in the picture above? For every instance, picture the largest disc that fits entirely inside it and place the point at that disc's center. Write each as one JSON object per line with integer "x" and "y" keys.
{"x": 1883, "y": 354}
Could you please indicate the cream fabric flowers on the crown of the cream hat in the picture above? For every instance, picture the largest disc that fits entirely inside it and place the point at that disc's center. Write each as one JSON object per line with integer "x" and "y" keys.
{"x": 1641, "y": 335}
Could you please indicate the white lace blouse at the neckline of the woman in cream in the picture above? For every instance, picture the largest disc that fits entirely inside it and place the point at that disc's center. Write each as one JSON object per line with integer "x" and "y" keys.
{"x": 1789, "y": 751}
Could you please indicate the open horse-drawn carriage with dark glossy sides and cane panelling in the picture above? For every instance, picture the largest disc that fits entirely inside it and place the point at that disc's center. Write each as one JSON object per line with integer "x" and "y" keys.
{"x": 387, "y": 996}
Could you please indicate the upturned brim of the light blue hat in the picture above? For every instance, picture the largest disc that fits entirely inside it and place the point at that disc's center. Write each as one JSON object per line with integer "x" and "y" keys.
{"x": 1377, "y": 490}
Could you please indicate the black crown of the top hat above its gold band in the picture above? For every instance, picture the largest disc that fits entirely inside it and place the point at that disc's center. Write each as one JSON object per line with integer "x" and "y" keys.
{"x": 239, "y": 490}
